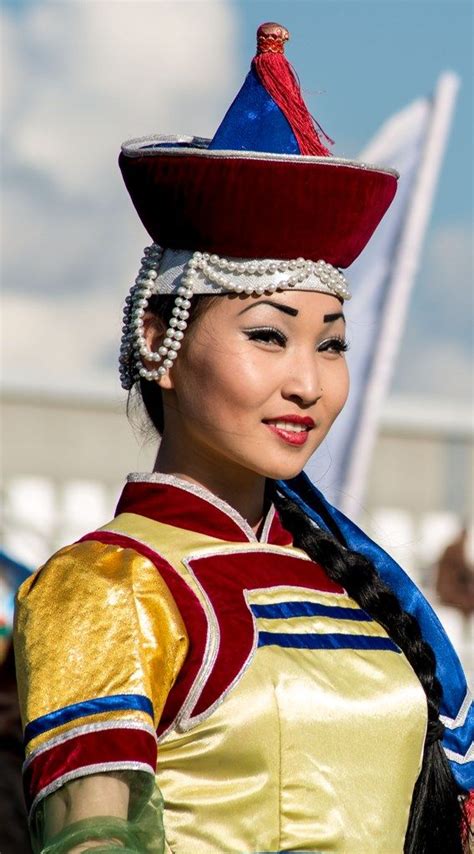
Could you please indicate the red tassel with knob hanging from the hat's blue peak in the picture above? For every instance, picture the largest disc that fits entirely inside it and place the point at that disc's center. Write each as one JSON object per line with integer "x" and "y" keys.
{"x": 280, "y": 81}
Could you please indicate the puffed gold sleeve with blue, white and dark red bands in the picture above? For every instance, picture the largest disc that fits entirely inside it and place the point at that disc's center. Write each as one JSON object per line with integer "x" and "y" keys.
{"x": 99, "y": 642}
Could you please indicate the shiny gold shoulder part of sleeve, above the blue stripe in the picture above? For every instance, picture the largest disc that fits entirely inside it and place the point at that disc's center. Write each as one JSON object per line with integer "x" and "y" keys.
{"x": 95, "y": 615}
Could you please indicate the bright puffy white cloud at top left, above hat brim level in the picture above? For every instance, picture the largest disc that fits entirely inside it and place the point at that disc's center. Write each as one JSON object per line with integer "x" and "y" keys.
{"x": 87, "y": 75}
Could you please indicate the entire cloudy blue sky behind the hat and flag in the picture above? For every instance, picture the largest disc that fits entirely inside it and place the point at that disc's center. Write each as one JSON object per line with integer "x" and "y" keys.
{"x": 81, "y": 76}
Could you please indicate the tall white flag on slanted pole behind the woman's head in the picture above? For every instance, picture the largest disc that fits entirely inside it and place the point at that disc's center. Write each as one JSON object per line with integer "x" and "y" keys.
{"x": 413, "y": 142}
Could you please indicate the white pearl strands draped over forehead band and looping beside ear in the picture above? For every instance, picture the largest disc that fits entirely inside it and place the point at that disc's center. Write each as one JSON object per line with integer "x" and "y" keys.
{"x": 134, "y": 349}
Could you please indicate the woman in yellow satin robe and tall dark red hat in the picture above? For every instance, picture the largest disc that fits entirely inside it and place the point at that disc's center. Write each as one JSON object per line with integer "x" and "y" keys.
{"x": 228, "y": 607}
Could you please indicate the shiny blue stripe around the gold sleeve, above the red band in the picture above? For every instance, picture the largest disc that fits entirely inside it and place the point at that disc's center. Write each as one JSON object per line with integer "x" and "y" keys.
{"x": 118, "y": 702}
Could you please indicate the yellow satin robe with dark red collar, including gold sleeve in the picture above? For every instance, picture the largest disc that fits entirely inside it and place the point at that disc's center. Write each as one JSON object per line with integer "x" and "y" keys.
{"x": 285, "y": 717}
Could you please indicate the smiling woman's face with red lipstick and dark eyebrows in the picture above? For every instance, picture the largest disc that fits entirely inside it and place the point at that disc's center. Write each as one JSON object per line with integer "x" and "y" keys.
{"x": 258, "y": 383}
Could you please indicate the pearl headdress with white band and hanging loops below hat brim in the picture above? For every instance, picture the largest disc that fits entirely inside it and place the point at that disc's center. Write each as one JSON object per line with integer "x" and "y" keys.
{"x": 188, "y": 273}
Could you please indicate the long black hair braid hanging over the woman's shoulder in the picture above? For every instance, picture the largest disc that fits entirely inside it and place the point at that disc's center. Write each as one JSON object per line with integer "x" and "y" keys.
{"x": 437, "y": 824}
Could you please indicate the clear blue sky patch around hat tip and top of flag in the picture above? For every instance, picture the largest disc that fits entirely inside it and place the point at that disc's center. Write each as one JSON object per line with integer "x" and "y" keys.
{"x": 369, "y": 59}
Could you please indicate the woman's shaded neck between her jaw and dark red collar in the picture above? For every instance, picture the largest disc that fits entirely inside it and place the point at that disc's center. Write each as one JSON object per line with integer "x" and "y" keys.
{"x": 241, "y": 489}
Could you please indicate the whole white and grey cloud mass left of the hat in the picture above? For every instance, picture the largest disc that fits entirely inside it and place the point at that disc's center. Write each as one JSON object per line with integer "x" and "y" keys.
{"x": 79, "y": 78}
